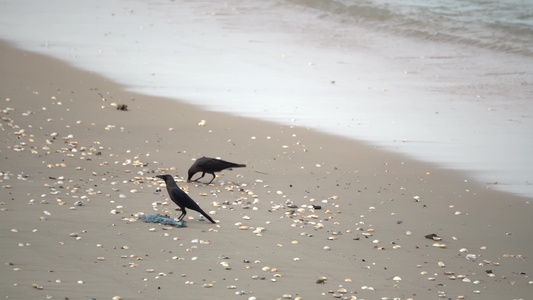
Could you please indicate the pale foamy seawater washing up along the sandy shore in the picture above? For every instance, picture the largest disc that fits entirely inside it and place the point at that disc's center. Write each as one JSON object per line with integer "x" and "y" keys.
{"x": 448, "y": 82}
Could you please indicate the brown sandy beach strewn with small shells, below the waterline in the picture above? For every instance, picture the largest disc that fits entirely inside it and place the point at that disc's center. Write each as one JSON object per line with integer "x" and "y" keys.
{"x": 63, "y": 141}
